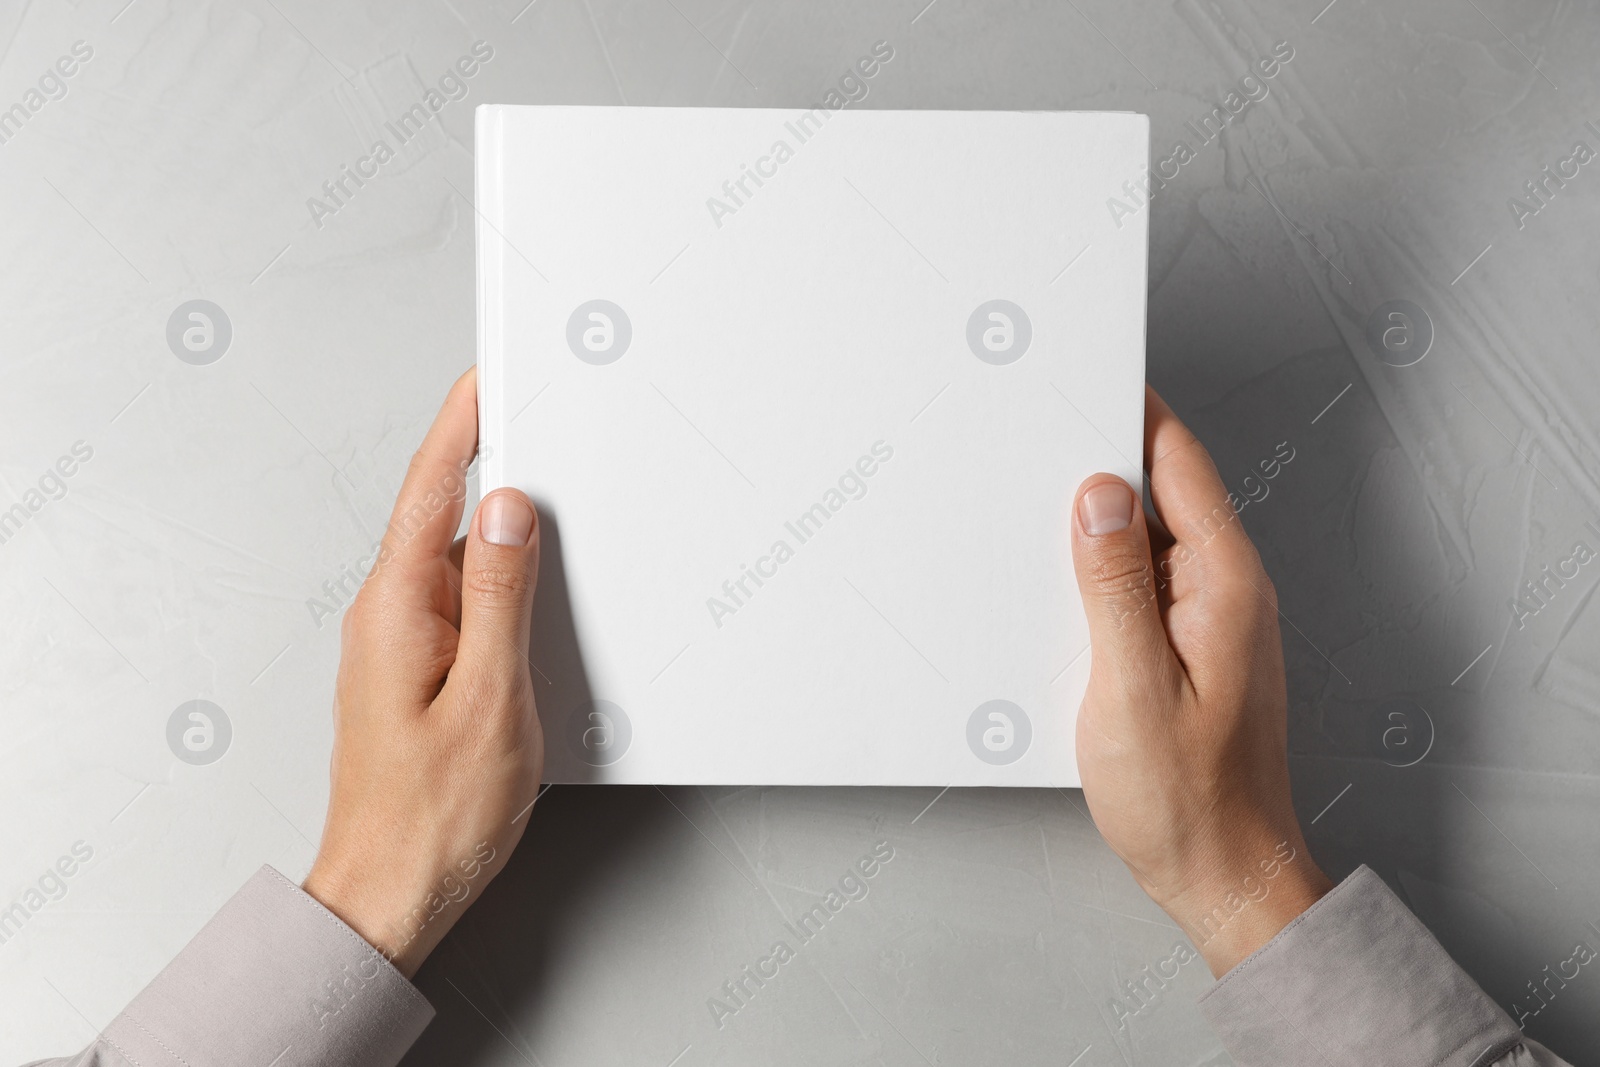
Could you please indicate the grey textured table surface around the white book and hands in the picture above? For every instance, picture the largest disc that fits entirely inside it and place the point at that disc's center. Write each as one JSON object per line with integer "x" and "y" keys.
{"x": 1441, "y": 733}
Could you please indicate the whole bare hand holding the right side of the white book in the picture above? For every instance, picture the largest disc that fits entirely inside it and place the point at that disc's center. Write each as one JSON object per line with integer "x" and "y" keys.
{"x": 1183, "y": 737}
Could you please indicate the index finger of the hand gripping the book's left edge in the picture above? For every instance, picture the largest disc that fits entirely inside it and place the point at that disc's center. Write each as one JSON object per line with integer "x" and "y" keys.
{"x": 431, "y": 500}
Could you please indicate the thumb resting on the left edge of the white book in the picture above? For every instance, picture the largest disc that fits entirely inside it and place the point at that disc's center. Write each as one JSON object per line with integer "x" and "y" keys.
{"x": 498, "y": 575}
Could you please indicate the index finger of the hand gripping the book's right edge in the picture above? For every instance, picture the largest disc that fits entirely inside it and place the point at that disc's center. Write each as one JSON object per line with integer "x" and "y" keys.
{"x": 1190, "y": 498}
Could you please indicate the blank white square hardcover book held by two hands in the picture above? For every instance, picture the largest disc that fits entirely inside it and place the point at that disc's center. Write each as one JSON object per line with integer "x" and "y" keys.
{"x": 804, "y": 401}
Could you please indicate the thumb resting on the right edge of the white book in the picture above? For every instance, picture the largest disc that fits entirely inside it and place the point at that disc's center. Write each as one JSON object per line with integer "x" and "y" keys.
{"x": 1111, "y": 553}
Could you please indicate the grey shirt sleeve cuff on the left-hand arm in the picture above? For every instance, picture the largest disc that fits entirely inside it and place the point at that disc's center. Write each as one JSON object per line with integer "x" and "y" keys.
{"x": 274, "y": 978}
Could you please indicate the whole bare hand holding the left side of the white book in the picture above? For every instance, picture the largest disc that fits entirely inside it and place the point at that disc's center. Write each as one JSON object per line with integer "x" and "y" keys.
{"x": 438, "y": 746}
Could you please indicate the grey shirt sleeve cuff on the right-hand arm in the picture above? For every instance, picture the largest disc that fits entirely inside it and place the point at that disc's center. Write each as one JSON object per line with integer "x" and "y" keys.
{"x": 1359, "y": 980}
